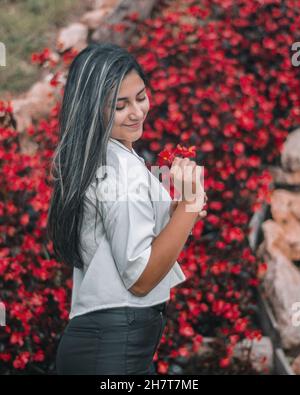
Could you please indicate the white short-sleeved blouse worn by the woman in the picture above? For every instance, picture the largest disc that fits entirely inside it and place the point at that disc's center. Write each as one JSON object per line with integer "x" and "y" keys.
{"x": 135, "y": 208}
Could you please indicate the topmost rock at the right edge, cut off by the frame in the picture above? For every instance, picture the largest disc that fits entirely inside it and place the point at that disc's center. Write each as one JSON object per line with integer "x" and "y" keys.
{"x": 290, "y": 156}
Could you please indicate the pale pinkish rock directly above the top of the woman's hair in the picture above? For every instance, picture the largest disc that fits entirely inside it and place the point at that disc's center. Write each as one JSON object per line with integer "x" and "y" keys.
{"x": 73, "y": 36}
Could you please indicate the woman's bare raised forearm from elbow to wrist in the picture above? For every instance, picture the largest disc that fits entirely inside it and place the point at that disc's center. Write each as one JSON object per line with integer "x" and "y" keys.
{"x": 166, "y": 248}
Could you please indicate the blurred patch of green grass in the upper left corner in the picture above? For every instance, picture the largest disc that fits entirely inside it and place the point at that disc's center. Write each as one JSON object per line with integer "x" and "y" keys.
{"x": 25, "y": 27}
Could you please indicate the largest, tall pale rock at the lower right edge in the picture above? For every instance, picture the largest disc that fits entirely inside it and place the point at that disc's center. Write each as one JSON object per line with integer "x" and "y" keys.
{"x": 282, "y": 288}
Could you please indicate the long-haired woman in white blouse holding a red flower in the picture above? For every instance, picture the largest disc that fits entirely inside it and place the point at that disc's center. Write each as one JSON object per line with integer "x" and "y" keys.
{"x": 124, "y": 261}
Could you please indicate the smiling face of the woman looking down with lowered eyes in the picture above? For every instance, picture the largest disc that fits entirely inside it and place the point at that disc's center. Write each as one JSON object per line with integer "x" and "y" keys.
{"x": 132, "y": 108}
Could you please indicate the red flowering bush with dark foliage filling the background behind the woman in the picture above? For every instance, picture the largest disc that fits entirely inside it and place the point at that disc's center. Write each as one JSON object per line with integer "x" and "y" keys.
{"x": 223, "y": 93}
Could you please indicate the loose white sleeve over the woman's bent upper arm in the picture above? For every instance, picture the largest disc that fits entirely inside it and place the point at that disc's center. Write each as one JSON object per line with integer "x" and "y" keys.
{"x": 129, "y": 225}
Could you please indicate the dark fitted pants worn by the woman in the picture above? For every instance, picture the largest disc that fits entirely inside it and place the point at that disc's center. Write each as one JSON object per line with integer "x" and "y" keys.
{"x": 121, "y": 340}
